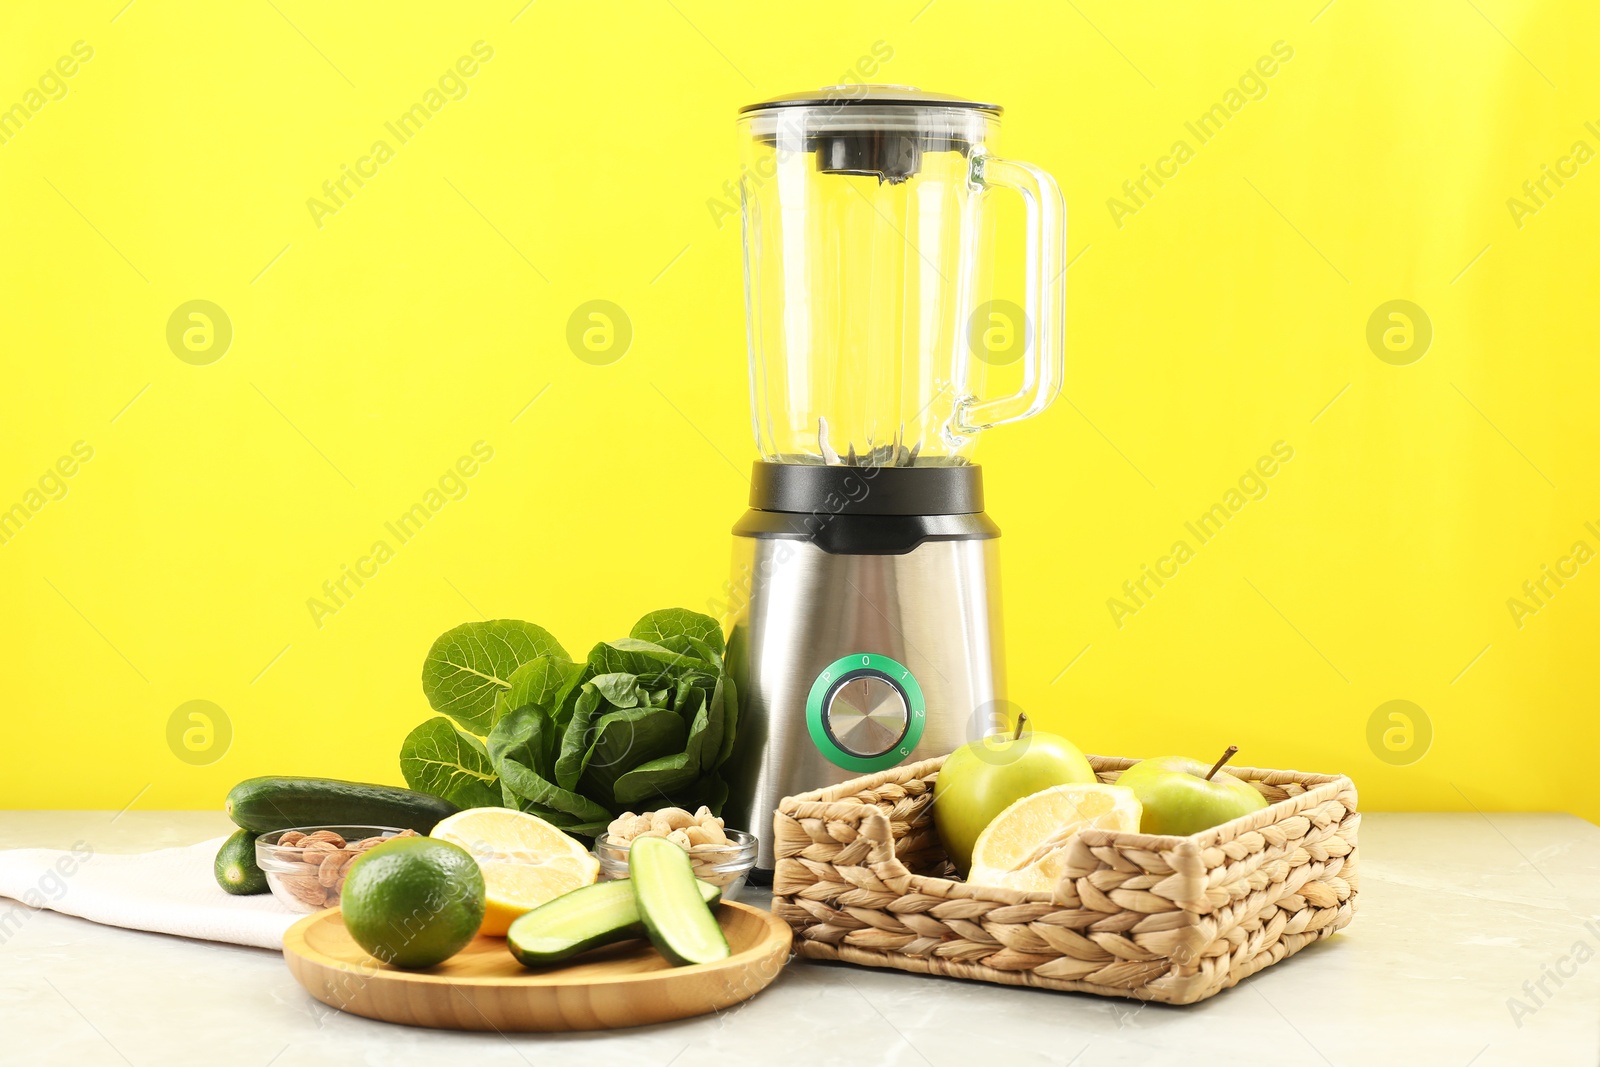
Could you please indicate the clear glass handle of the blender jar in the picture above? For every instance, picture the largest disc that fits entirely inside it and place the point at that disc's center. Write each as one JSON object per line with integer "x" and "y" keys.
{"x": 1044, "y": 359}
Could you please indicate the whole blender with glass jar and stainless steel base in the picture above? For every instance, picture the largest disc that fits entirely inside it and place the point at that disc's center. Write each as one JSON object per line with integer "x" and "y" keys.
{"x": 865, "y": 596}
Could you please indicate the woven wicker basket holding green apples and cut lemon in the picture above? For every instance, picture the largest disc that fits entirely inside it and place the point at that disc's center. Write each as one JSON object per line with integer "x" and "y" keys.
{"x": 862, "y": 877}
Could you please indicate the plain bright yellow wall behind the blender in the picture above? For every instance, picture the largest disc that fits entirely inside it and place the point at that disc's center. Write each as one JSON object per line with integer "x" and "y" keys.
{"x": 425, "y": 316}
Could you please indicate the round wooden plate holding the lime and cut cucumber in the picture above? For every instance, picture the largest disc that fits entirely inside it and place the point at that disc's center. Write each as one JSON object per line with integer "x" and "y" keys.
{"x": 482, "y": 988}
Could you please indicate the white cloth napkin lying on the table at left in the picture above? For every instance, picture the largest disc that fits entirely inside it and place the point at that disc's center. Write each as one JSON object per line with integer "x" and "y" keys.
{"x": 169, "y": 892}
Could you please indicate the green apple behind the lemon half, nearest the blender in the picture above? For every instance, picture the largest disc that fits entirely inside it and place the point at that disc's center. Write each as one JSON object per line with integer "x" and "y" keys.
{"x": 983, "y": 778}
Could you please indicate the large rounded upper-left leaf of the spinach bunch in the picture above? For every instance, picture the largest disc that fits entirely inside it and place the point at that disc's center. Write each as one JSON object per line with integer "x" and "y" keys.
{"x": 468, "y": 668}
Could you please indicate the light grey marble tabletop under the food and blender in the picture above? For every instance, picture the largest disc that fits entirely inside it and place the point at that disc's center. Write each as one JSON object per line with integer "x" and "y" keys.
{"x": 1463, "y": 919}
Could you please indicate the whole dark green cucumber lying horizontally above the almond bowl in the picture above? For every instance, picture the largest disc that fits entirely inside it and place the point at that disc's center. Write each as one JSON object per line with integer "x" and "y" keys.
{"x": 282, "y": 802}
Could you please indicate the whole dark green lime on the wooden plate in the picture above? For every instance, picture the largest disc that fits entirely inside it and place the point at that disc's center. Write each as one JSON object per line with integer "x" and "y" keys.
{"x": 414, "y": 901}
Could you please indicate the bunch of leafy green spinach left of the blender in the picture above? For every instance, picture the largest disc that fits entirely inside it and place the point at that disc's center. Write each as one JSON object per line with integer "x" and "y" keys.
{"x": 642, "y": 721}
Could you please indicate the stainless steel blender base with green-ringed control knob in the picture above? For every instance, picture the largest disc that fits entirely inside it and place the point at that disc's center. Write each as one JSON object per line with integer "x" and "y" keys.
{"x": 852, "y": 661}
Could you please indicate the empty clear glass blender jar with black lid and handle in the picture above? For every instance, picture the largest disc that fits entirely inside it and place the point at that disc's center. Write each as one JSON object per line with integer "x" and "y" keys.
{"x": 866, "y": 263}
